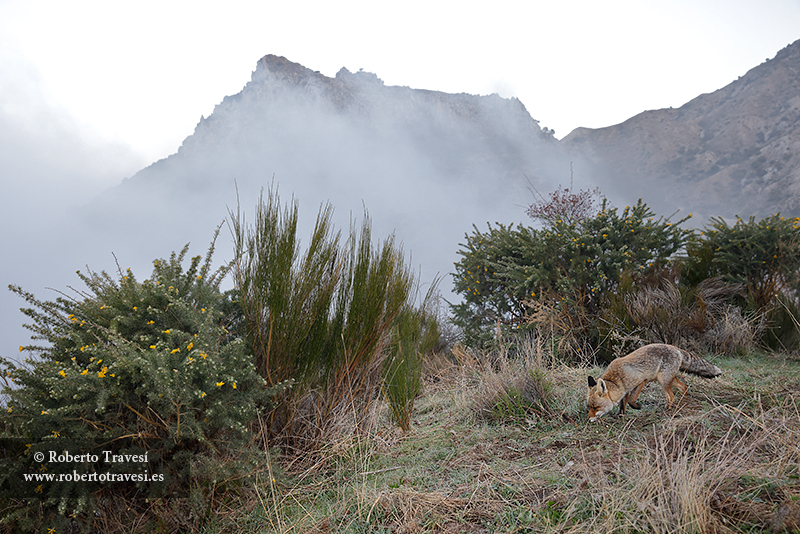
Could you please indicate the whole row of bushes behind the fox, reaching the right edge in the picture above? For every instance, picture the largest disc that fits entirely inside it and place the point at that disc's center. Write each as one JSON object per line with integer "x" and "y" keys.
{"x": 599, "y": 281}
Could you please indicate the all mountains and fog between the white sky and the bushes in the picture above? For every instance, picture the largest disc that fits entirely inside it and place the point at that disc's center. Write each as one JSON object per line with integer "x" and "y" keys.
{"x": 427, "y": 165}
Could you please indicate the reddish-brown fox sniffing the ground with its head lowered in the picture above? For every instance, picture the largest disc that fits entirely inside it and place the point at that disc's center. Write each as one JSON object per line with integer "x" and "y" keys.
{"x": 625, "y": 377}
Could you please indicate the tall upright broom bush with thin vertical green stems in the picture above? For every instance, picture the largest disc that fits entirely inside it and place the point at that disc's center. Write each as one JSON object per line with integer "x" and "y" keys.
{"x": 326, "y": 317}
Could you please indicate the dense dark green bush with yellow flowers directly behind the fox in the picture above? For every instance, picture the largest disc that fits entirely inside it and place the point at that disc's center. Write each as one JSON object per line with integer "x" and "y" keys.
{"x": 568, "y": 267}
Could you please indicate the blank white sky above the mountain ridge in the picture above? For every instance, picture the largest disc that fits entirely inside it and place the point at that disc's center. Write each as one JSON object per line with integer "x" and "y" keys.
{"x": 140, "y": 74}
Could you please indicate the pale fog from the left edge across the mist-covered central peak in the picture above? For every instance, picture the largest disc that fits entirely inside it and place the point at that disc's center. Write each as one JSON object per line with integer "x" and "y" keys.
{"x": 426, "y": 166}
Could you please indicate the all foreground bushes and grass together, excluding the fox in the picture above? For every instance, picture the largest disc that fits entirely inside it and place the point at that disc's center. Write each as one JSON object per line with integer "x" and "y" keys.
{"x": 319, "y": 394}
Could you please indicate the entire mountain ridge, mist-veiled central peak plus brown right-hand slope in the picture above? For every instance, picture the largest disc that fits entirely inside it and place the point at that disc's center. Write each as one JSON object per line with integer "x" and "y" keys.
{"x": 427, "y": 165}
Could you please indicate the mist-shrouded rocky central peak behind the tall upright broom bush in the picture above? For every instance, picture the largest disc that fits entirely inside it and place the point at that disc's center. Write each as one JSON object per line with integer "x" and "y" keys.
{"x": 426, "y": 165}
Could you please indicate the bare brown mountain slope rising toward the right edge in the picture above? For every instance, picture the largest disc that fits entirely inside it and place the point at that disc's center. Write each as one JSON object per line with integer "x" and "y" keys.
{"x": 734, "y": 151}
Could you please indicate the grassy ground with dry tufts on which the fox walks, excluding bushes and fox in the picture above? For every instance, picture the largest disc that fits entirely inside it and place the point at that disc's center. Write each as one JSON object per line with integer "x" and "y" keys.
{"x": 726, "y": 459}
